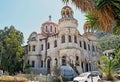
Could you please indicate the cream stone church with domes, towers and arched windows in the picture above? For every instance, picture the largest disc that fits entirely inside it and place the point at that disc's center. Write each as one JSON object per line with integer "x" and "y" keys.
{"x": 62, "y": 45}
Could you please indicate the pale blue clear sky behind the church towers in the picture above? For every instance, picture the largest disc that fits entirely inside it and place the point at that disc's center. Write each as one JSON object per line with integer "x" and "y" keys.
{"x": 28, "y": 15}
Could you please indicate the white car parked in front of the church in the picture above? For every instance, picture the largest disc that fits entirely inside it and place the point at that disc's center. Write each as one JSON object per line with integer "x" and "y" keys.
{"x": 87, "y": 77}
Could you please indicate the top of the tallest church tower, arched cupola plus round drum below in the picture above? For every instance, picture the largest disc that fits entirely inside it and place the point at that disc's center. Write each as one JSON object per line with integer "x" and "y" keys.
{"x": 67, "y": 19}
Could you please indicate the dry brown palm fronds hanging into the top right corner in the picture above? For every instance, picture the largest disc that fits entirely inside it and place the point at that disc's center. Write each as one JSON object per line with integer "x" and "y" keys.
{"x": 106, "y": 10}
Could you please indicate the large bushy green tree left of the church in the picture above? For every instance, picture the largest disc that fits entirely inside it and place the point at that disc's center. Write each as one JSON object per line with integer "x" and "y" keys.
{"x": 12, "y": 50}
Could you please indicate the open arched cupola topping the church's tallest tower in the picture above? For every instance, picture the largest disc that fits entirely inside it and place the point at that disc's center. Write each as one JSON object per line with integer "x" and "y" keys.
{"x": 67, "y": 12}
